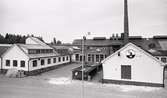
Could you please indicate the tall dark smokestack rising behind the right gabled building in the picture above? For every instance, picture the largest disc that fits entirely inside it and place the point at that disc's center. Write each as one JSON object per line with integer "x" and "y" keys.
{"x": 126, "y": 24}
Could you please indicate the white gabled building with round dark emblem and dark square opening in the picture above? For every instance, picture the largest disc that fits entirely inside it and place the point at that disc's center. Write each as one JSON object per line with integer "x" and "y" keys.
{"x": 133, "y": 66}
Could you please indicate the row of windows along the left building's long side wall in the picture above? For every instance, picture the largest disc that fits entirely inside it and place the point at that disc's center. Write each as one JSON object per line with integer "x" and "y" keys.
{"x": 42, "y": 62}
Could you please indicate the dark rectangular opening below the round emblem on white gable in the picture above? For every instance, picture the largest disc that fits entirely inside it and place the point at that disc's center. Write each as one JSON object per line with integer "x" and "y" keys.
{"x": 125, "y": 72}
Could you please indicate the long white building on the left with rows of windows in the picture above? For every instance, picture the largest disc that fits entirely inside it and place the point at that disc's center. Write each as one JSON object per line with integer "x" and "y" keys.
{"x": 33, "y": 57}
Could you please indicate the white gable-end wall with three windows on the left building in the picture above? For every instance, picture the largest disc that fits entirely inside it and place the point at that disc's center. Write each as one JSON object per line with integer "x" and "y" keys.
{"x": 15, "y": 54}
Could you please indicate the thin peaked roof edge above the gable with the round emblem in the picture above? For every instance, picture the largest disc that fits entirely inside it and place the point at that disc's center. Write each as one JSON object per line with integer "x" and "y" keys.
{"x": 137, "y": 48}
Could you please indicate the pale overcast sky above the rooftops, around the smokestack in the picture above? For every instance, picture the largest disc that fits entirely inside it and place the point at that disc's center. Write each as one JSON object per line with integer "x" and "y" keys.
{"x": 70, "y": 19}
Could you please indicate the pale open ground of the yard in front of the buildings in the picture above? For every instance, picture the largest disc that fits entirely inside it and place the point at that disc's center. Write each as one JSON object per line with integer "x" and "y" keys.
{"x": 58, "y": 84}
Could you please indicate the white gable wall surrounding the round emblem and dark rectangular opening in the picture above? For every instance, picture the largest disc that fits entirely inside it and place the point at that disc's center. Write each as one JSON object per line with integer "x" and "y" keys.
{"x": 143, "y": 67}
